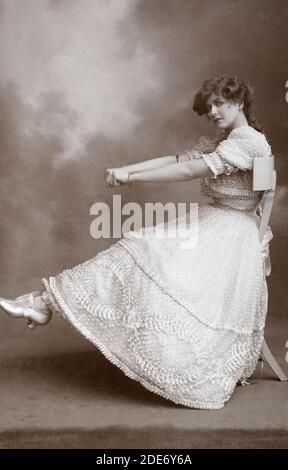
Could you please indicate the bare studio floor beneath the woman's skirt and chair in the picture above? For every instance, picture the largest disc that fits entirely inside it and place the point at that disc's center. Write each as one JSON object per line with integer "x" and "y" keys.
{"x": 58, "y": 391}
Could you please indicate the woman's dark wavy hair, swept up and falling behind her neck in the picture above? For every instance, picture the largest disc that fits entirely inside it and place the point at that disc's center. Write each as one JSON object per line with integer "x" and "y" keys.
{"x": 231, "y": 88}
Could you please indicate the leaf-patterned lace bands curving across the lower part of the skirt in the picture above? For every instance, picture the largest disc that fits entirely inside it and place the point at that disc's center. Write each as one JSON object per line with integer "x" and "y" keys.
{"x": 184, "y": 332}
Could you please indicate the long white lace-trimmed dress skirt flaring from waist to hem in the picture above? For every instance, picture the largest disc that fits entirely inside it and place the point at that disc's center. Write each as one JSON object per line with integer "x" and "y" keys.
{"x": 187, "y": 323}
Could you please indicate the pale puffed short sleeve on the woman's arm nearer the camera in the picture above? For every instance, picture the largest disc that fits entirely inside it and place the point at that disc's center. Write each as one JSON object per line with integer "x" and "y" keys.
{"x": 237, "y": 151}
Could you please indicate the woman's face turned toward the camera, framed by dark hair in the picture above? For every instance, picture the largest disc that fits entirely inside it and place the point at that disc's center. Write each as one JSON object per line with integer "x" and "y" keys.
{"x": 223, "y": 112}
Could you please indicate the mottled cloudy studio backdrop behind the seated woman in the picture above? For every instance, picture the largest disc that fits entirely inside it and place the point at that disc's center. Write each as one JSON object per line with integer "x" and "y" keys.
{"x": 91, "y": 84}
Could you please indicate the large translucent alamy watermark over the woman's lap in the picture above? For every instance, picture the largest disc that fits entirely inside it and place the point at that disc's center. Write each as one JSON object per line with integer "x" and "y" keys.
{"x": 181, "y": 223}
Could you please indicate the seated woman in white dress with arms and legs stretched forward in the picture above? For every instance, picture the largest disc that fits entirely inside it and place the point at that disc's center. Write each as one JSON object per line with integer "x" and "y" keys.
{"x": 187, "y": 324}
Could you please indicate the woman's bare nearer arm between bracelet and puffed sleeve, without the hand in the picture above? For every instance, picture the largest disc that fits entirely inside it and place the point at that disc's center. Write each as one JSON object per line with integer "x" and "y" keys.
{"x": 176, "y": 172}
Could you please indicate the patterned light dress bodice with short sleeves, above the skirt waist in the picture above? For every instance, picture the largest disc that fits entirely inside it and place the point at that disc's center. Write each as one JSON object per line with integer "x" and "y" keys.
{"x": 231, "y": 161}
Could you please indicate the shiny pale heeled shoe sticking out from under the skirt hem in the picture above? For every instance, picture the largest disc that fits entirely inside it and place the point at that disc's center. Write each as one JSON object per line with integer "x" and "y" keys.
{"x": 23, "y": 307}
